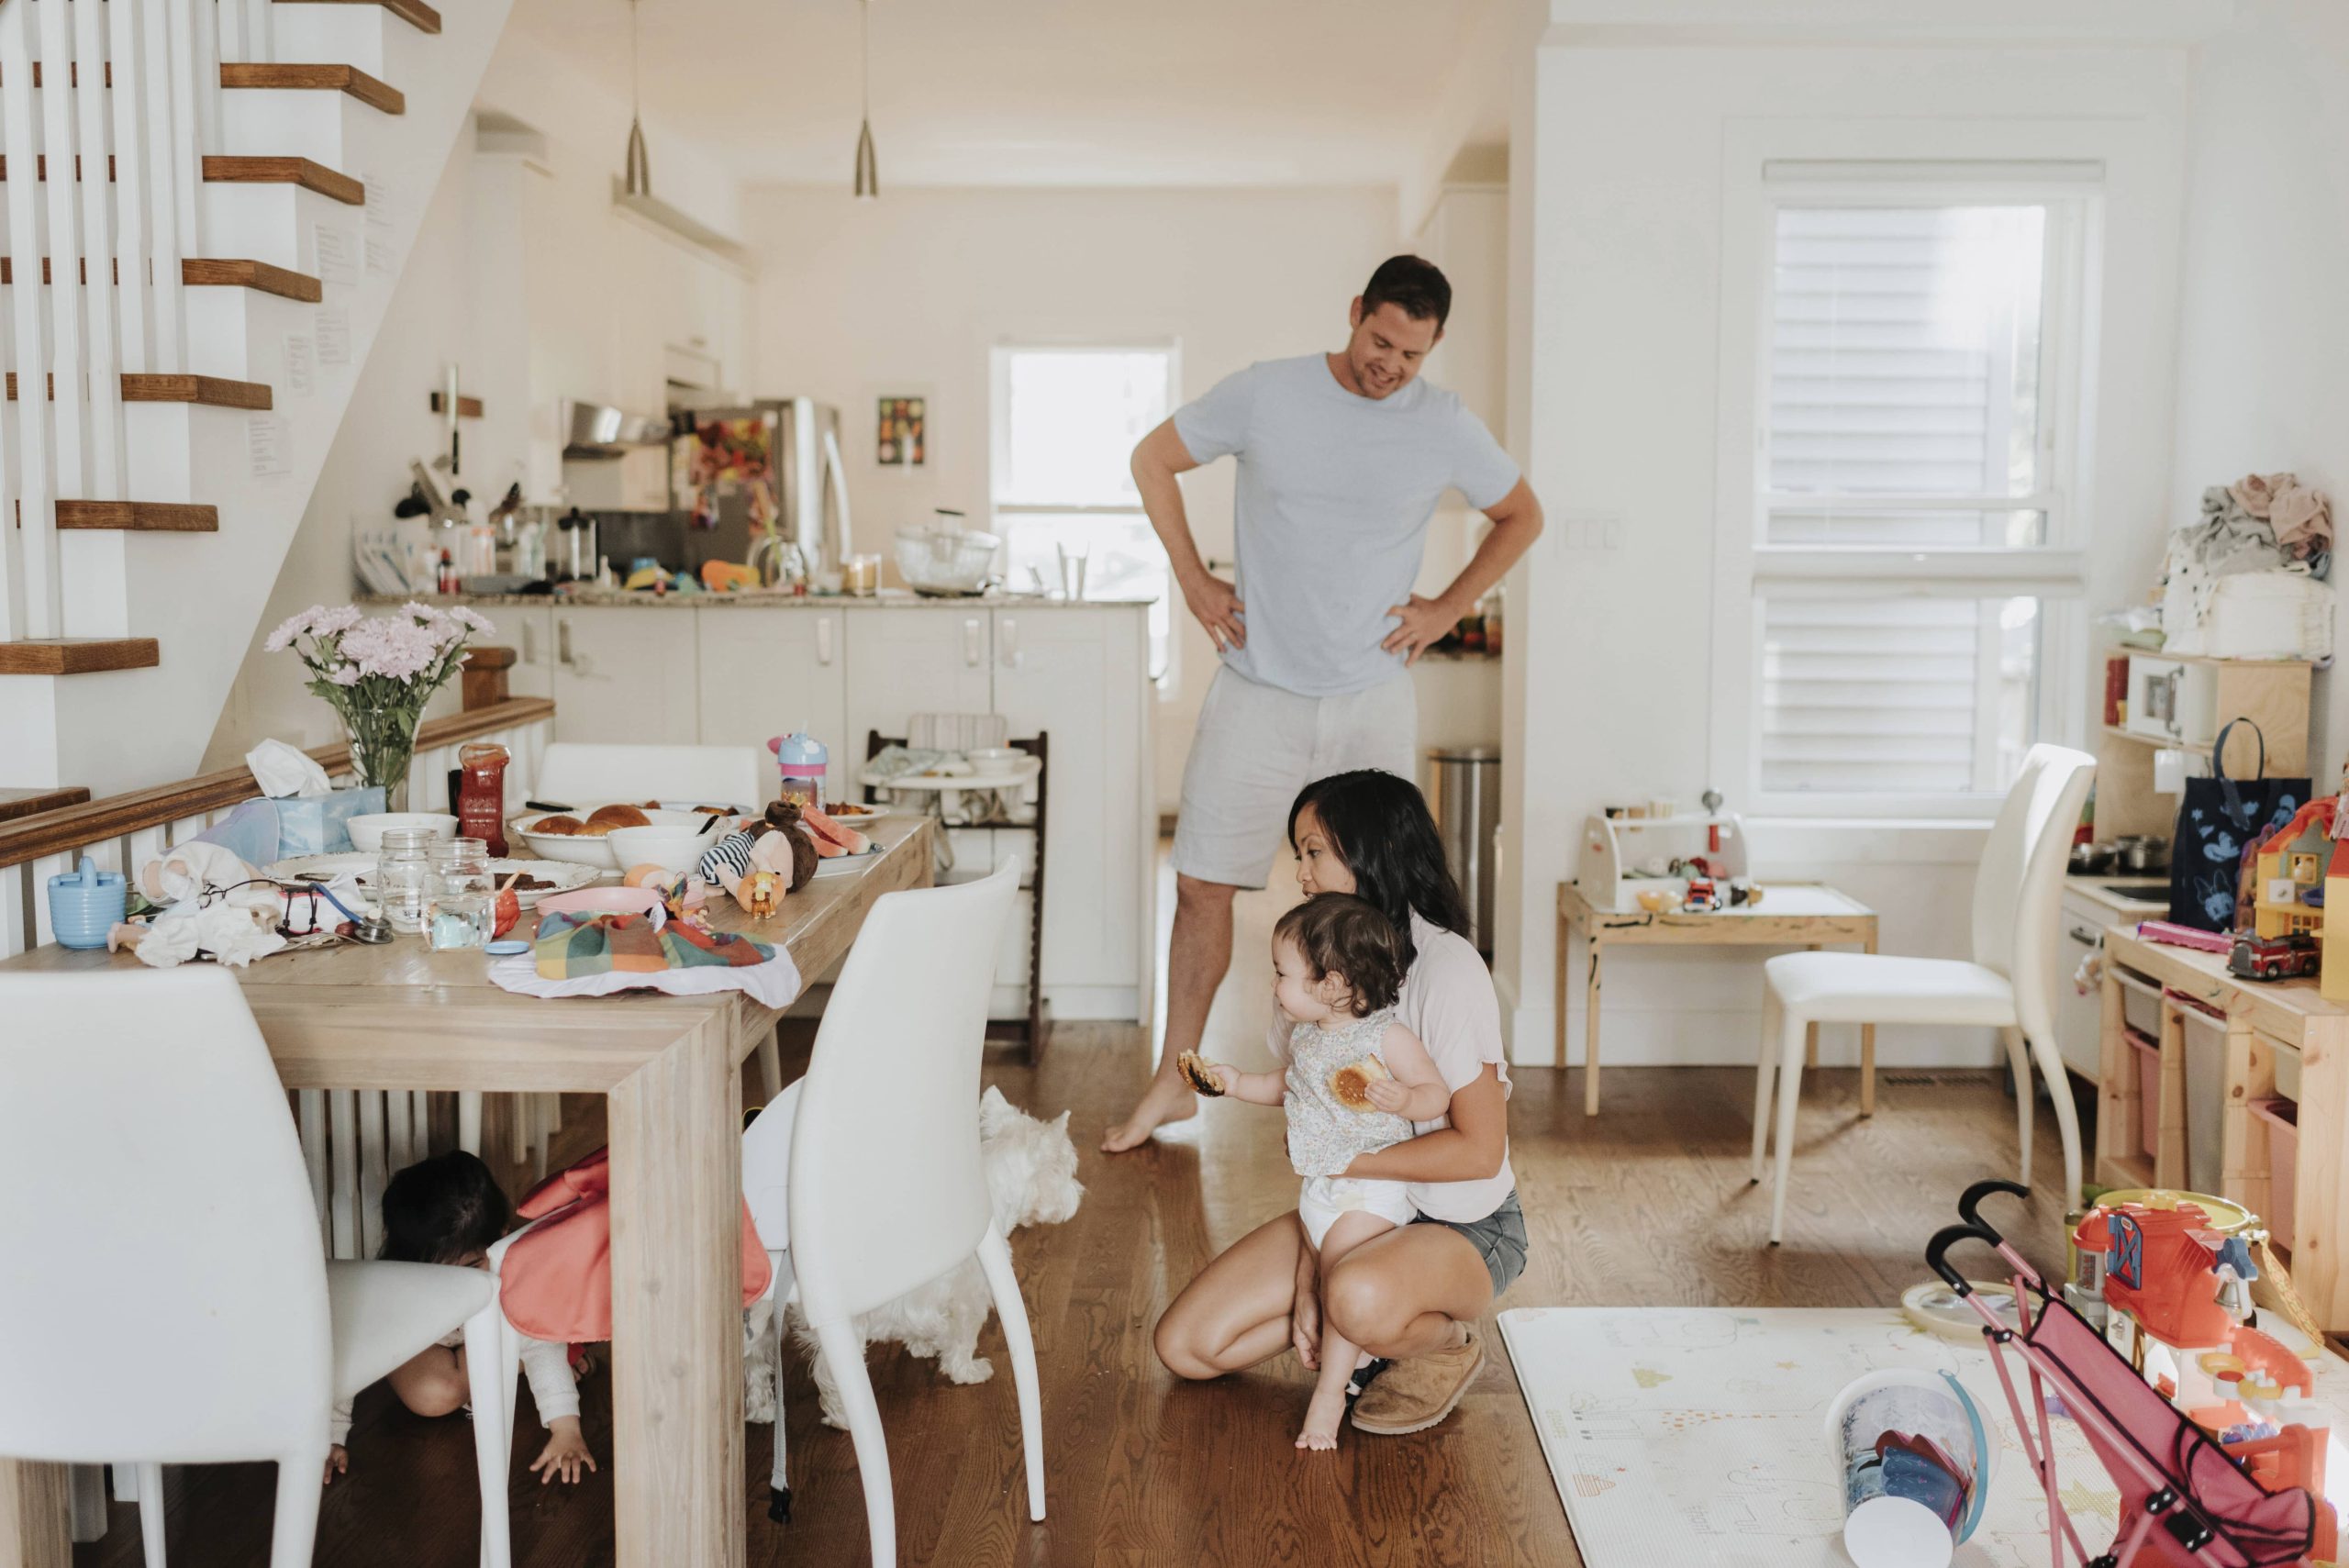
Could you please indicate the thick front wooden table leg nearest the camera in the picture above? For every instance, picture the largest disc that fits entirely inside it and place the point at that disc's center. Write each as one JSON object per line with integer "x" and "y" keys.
{"x": 678, "y": 1304}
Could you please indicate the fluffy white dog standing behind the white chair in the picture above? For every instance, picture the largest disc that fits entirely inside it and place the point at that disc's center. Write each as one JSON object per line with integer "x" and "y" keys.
{"x": 1030, "y": 1177}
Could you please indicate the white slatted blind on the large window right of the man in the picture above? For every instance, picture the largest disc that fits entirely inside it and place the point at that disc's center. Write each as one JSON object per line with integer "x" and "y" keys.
{"x": 1906, "y": 421}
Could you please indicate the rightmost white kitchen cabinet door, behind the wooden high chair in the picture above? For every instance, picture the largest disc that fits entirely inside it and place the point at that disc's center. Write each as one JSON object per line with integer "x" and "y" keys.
{"x": 1077, "y": 677}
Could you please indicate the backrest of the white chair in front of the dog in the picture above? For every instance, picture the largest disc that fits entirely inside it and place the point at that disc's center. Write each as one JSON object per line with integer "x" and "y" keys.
{"x": 887, "y": 1187}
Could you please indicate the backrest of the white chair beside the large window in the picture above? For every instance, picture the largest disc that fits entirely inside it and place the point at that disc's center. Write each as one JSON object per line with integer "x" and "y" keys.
{"x": 2019, "y": 886}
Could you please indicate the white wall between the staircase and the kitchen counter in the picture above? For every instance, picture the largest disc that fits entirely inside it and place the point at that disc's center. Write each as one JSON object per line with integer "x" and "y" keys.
{"x": 530, "y": 283}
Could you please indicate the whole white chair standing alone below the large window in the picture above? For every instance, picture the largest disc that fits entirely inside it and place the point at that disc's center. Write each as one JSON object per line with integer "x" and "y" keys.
{"x": 2010, "y": 985}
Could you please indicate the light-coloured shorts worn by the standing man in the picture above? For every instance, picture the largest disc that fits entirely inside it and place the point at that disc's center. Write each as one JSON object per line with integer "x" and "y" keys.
{"x": 1258, "y": 745}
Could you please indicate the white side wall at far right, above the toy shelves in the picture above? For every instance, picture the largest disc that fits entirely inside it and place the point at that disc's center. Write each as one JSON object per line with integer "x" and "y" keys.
{"x": 2263, "y": 337}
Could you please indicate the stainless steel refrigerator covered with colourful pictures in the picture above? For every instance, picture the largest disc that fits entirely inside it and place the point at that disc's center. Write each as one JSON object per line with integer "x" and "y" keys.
{"x": 741, "y": 471}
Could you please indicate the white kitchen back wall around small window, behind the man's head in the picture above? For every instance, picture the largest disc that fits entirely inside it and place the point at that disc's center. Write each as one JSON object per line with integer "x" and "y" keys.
{"x": 908, "y": 295}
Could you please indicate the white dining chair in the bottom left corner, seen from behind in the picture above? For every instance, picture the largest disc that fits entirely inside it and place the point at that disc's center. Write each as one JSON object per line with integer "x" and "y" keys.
{"x": 163, "y": 1299}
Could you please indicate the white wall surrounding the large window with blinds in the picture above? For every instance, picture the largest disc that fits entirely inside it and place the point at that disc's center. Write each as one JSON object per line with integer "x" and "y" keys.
{"x": 1620, "y": 177}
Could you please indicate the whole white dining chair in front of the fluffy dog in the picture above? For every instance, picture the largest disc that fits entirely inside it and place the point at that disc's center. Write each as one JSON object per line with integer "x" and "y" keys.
{"x": 884, "y": 1184}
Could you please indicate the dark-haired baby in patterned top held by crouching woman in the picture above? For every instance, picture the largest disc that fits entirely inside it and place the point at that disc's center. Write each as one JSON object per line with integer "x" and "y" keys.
{"x": 1354, "y": 1086}
